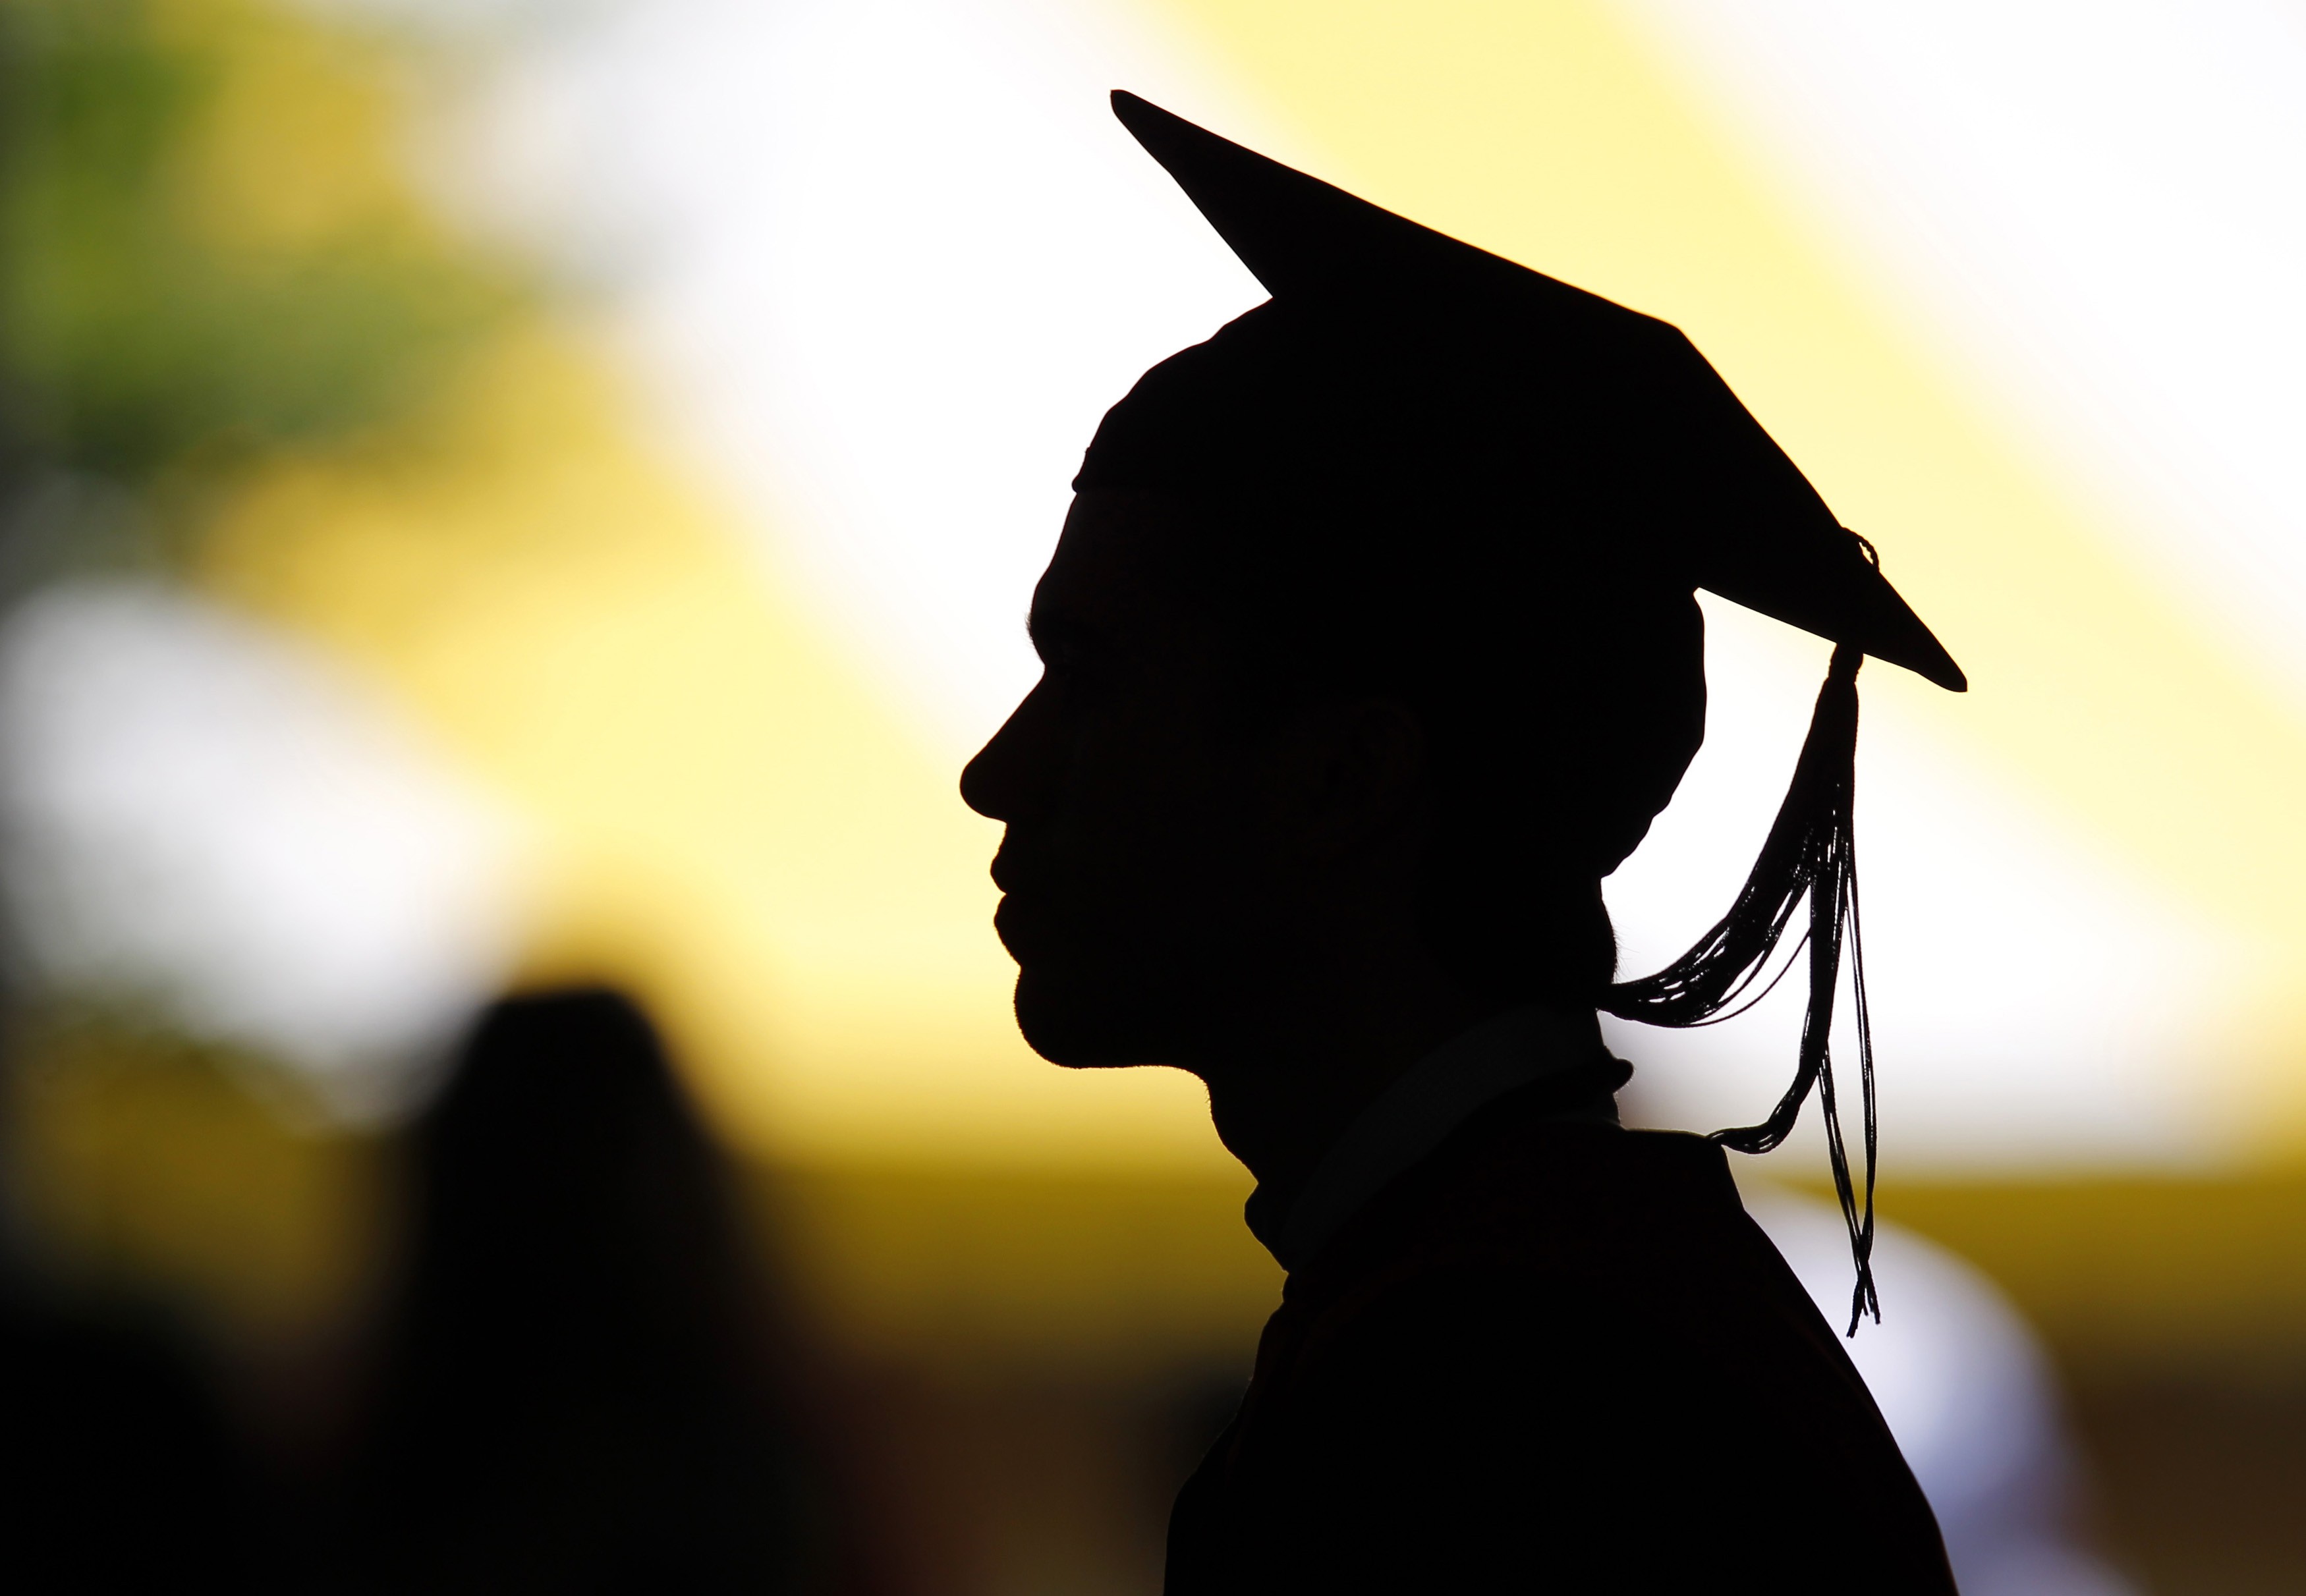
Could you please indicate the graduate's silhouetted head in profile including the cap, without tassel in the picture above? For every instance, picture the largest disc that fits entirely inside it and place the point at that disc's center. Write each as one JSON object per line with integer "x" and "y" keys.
{"x": 1373, "y": 633}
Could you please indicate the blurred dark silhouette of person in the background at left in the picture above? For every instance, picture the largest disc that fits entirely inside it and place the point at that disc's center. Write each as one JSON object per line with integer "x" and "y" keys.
{"x": 575, "y": 1392}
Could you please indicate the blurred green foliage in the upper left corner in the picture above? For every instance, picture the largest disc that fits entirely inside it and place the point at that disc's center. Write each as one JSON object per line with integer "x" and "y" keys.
{"x": 142, "y": 340}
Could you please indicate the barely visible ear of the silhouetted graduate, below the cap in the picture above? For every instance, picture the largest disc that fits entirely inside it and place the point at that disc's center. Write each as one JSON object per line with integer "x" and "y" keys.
{"x": 1341, "y": 774}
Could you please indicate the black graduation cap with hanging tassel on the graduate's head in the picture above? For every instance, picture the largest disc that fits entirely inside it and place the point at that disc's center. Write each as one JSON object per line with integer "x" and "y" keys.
{"x": 1403, "y": 370}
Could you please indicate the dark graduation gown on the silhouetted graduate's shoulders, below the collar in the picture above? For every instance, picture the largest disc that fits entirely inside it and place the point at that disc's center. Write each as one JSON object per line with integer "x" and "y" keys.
{"x": 1553, "y": 1357}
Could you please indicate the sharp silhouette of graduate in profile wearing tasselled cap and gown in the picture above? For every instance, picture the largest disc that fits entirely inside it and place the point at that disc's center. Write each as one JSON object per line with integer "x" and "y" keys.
{"x": 1371, "y": 647}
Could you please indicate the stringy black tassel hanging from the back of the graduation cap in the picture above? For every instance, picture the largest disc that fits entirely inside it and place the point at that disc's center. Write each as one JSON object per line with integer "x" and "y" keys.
{"x": 1811, "y": 852}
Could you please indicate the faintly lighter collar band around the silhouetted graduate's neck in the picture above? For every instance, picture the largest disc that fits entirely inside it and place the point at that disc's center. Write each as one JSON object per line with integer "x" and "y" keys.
{"x": 1415, "y": 1115}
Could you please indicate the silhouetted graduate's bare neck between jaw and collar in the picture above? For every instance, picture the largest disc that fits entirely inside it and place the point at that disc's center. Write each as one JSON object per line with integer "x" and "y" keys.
{"x": 1288, "y": 1083}
